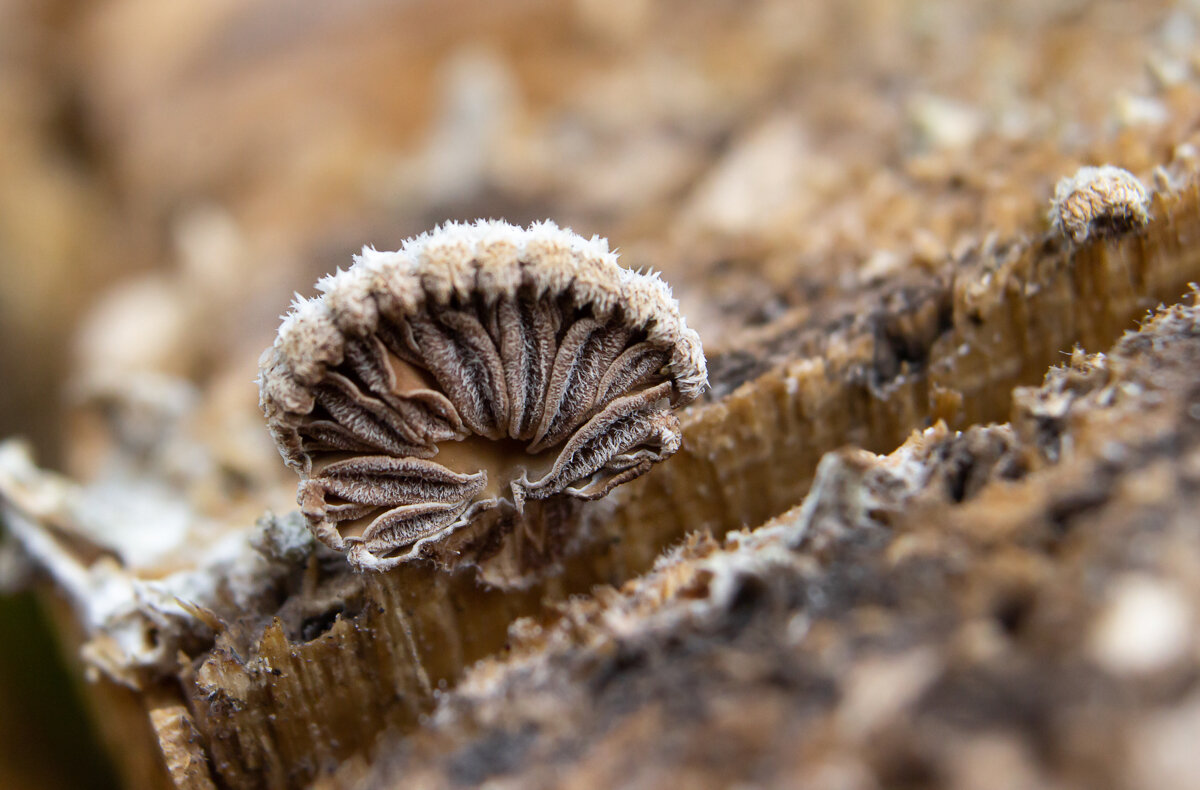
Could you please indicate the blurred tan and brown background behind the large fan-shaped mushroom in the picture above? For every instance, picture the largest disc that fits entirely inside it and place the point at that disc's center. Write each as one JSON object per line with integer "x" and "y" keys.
{"x": 172, "y": 172}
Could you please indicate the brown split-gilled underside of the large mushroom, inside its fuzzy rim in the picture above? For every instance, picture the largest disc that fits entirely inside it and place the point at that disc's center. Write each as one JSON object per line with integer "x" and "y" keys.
{"x": 435, "y": 420}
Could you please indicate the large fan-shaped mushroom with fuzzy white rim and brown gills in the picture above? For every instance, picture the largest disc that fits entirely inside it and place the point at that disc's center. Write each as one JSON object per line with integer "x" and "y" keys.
{"x": 479, "y": 367}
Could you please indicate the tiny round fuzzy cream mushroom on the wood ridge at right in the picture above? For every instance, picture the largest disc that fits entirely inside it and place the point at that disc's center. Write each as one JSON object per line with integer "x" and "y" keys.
{"x": 1099, "y": 204}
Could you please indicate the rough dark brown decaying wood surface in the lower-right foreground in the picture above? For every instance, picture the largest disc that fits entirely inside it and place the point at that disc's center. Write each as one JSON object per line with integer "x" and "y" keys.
{"x": 943, "y": 621}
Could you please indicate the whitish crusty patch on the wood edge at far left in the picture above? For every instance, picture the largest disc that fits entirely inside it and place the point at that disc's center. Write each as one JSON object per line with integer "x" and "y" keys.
{"x": 106, "y": 554}
